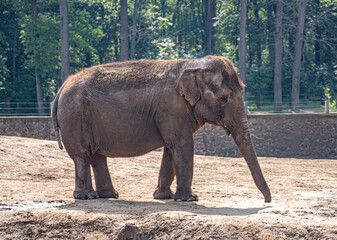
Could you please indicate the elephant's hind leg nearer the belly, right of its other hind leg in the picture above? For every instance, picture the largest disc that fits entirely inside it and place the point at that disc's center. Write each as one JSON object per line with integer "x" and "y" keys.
{"x": 104, "y": 185}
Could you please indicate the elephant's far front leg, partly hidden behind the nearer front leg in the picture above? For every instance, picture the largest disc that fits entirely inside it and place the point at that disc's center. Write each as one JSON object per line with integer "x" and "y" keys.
{"x": 166, "y": 176}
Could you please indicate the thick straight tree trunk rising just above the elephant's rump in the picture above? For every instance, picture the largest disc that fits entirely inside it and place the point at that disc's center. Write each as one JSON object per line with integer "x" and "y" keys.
{"x": 64, "y": 33}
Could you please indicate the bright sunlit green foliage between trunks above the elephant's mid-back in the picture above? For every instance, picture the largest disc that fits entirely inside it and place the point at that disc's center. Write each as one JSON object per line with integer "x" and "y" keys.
{"x": 172, "y": 33}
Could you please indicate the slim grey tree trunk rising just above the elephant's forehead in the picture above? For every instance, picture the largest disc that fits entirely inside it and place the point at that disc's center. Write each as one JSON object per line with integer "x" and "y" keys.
{"x": 243, "y": 48}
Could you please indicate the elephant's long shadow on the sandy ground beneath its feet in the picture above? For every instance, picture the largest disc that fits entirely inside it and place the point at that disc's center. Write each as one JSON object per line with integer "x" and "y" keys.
{"x": 112, "y": 206}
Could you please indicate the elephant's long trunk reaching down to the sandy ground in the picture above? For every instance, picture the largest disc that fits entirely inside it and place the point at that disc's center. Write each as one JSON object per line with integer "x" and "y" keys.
{"x": 241, "y": 136}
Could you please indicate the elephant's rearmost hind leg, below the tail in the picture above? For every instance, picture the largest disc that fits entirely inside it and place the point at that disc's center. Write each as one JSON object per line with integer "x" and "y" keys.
{"x": 83, "y": 185}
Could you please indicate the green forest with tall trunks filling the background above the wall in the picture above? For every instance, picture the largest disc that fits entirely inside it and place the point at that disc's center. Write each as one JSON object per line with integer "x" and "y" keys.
{"x": 282, "y": 48}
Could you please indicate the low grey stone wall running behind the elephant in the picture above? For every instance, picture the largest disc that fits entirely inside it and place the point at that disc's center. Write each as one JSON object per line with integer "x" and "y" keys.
{"x": 276, "y": 135}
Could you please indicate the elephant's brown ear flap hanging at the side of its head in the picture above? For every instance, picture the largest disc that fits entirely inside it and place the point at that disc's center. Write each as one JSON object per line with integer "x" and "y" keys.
{"x": 187, "y": 85}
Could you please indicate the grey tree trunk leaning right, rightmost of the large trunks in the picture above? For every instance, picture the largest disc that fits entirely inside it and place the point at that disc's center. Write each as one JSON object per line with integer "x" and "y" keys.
{"x": 295, "y": 90}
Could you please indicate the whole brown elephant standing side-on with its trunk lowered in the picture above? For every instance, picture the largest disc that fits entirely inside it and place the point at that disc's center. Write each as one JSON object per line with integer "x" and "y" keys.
{"x": 127, "y": 109}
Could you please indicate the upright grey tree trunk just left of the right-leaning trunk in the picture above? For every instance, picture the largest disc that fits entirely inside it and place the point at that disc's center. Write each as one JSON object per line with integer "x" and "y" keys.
{"x": 278, "y": 58}
